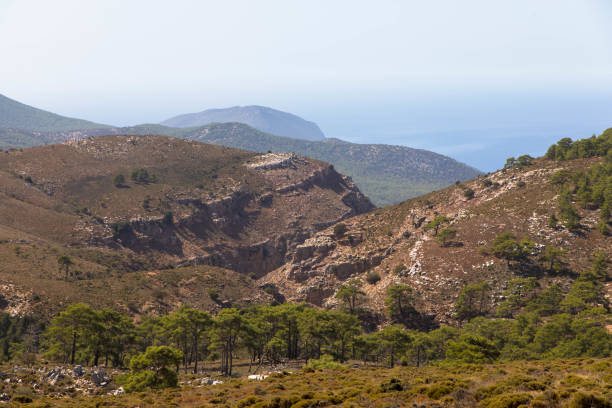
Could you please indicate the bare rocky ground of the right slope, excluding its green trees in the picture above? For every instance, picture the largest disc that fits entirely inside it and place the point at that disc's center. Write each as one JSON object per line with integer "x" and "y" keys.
{"x": 393, "y": 243}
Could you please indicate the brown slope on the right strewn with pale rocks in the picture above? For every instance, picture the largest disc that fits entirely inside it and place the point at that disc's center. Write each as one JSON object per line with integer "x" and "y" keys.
{"x": 394, "y": 245}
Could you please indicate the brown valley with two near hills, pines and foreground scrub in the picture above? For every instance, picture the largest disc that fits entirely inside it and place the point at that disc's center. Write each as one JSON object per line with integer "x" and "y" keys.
{"x": 182, "y": 263}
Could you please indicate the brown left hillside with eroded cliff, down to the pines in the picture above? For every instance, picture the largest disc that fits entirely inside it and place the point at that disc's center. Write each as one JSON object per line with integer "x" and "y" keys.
{"x": 179, "y": 203}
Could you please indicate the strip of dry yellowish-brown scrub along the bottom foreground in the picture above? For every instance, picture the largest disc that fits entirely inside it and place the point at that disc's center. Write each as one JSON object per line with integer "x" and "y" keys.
{"x": 536, "y": 384}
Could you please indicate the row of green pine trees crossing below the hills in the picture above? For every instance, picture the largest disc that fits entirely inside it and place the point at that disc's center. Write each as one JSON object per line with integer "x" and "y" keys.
{"x": 528, "y": 322}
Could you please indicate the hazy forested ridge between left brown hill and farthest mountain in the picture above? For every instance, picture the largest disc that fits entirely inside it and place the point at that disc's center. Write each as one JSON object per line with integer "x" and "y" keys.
{"x": 387, "y": 174}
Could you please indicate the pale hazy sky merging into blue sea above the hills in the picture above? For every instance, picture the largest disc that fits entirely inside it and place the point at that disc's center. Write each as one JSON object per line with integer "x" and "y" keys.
{"x": 477, "y": 80}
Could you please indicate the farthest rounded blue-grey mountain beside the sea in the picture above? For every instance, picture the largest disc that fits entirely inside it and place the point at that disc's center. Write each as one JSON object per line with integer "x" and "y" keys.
{"x": 260, "y": 117}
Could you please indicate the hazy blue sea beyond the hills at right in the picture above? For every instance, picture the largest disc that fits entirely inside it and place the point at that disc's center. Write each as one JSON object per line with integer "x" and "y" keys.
{"x": 481, "y": 130}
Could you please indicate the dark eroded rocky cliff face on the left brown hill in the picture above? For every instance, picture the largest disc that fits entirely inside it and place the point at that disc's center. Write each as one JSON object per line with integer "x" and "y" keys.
{"x": 245, "y": 230}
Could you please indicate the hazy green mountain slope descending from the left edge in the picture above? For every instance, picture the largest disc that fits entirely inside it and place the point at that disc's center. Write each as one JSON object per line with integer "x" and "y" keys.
{"x": 16, "y": 115}
